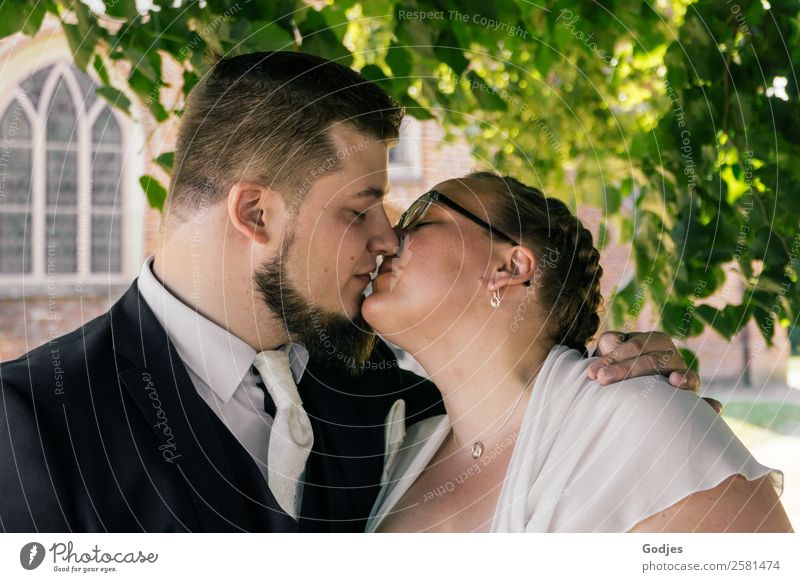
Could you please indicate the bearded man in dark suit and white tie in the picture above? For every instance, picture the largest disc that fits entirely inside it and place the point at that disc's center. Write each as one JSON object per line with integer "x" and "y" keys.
{"x": 235, "y": 386}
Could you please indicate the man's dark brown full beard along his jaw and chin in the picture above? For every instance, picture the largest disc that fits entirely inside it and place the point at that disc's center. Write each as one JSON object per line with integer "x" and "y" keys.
{"x": 328, "y": 336}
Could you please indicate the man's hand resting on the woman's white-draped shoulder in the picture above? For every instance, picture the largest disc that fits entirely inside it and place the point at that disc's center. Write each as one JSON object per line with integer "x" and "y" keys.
{"x": 642, "y": 354}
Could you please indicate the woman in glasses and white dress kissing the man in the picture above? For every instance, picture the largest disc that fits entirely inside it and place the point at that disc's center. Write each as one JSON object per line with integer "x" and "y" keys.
{"x": 495, "y": 292}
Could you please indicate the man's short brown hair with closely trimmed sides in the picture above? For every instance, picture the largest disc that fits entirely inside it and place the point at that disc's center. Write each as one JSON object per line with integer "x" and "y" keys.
{"x": 265, "y": 117}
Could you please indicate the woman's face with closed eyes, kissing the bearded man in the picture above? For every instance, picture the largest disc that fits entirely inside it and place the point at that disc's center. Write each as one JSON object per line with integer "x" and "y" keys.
{"x": 439, "y": 275}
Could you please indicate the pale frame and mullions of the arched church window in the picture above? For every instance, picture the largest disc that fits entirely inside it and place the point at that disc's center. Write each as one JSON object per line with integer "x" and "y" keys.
{"x": 17, "y": 62}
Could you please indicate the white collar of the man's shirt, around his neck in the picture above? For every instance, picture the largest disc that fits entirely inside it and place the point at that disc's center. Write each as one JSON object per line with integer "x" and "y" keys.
{"x": 216, "y": 356}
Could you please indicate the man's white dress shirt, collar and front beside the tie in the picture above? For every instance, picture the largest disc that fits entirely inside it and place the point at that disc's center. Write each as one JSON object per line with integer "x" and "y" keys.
{"x": 219, "y": 364}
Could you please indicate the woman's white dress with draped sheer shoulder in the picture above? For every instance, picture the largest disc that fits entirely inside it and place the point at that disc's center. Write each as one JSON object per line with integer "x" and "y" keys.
{"x": 589, "y": 458}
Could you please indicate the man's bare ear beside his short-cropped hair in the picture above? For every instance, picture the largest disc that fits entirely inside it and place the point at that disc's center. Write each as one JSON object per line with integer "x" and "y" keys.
{"x": 255, "y": 211}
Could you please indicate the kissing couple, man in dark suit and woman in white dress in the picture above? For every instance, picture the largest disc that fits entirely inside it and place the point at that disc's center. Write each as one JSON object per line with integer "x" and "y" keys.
{"x": 243, "y": 383}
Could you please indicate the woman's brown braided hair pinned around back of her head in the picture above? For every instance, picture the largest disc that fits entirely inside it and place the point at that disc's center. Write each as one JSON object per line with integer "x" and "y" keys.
{"x": 567, "y": 279}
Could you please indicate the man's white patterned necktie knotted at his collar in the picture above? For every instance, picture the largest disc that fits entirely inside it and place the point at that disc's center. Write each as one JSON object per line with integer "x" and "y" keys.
{"x": 291, "y": 437}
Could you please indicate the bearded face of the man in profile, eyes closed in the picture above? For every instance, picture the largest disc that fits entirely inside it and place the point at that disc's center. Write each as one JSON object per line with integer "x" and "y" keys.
{"x": 338, "y": 230}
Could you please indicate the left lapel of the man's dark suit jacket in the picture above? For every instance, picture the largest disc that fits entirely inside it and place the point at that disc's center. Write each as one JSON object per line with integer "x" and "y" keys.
{"x": 158, "y": 383}
